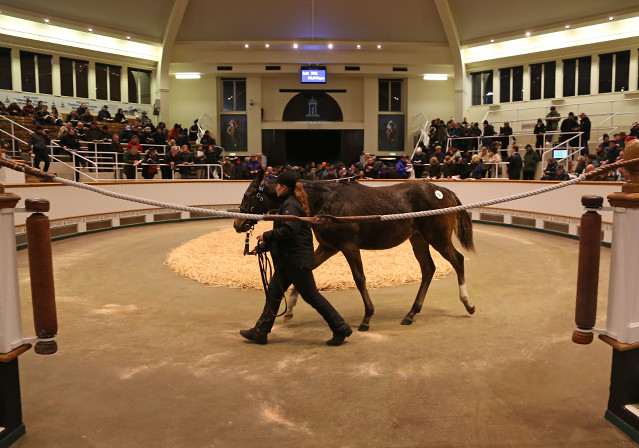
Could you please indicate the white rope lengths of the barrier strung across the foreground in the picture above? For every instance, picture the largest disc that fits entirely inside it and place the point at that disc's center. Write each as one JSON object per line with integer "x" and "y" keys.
{"x": 256, "y": 217}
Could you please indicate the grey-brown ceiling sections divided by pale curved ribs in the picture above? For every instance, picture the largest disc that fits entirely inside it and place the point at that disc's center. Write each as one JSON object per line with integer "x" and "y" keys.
{"x": 379, "y": 21}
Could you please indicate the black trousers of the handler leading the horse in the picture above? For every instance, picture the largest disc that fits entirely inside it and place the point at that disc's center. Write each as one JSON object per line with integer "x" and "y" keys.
{"x": 304, "y": 282}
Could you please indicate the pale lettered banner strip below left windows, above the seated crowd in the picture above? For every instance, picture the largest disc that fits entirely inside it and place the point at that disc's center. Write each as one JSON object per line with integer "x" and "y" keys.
{"x": 65, "y": 104}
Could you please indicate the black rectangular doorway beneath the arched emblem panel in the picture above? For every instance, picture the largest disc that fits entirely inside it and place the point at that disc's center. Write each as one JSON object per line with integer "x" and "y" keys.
{"x": 303, "y": 146}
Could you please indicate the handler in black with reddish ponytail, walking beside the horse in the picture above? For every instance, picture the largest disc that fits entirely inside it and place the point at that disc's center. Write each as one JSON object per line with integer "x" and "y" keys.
{"x": 291, "y": 244}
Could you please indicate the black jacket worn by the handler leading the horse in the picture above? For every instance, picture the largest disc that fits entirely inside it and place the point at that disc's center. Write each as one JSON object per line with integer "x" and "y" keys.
{"x": 290, "y": 242}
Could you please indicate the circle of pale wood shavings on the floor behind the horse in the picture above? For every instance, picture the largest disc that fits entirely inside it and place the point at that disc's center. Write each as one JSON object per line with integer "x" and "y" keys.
{"x": 217, "y": 259}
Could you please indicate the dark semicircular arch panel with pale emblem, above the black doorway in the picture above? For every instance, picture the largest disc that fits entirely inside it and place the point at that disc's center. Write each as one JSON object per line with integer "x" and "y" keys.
{"x": 312, "y": 106}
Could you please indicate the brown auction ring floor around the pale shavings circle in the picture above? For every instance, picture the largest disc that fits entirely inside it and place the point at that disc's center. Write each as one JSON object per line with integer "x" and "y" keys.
{"x": 150, "y": 359}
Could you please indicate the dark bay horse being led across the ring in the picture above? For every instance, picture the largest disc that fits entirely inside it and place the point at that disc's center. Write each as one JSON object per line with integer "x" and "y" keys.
{"x": 354, "y": 199}
